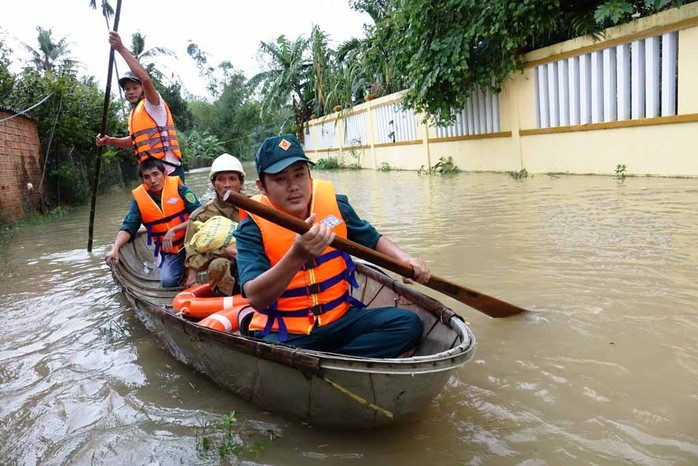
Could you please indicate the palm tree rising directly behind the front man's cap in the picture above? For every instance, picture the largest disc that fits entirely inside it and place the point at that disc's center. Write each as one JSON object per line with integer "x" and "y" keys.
{"x": 286, "y": 81}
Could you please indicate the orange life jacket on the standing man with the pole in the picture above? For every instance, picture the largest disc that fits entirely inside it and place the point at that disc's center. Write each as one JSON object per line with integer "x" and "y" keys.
{"x": 147, "y": 136}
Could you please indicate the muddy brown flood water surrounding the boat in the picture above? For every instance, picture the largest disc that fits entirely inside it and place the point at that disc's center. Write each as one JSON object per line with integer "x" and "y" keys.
{"x": 603, "y": 370}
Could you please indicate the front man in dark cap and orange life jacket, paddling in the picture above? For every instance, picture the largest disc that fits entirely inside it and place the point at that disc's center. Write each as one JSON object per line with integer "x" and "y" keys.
{"x": 297, "y": 283}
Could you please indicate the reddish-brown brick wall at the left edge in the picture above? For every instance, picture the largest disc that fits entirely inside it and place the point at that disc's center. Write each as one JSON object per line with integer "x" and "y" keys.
{"x": 20, "y": 167}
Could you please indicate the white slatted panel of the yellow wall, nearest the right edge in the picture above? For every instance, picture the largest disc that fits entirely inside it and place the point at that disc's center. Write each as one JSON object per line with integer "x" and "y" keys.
{"x": 628, "y": 81}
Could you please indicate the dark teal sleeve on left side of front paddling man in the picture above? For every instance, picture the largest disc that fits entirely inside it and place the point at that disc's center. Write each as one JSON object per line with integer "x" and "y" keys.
{"x": 251, "y": 258}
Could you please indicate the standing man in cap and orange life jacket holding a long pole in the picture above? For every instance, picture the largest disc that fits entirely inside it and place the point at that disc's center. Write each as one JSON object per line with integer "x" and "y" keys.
{"x": 150, "y": 125}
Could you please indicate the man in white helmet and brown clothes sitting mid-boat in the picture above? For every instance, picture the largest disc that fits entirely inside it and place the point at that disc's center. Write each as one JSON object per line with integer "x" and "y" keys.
{"x": 227, "y": 174}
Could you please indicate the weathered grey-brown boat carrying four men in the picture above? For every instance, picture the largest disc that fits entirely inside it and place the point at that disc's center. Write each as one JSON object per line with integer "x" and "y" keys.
{"x": 320, "y": 388}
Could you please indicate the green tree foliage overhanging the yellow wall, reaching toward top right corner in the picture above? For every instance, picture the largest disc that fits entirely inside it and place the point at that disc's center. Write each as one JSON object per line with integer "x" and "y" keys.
{"x": 445, "y": 48}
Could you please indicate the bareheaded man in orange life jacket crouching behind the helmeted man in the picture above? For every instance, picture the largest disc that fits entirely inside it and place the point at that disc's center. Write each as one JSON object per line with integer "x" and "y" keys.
{"x": 163, "y": 205}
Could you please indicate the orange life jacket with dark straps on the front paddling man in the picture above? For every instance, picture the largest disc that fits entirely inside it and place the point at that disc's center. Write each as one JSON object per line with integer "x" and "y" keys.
{"x": 318, "y": 294}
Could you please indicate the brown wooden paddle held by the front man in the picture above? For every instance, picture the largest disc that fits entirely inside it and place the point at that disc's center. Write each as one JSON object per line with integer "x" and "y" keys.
{"x": 493, "y": 307}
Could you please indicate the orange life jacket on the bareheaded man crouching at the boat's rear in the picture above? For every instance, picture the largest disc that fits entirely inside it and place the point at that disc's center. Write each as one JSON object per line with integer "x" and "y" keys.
{"x": 158, "y": 220}
